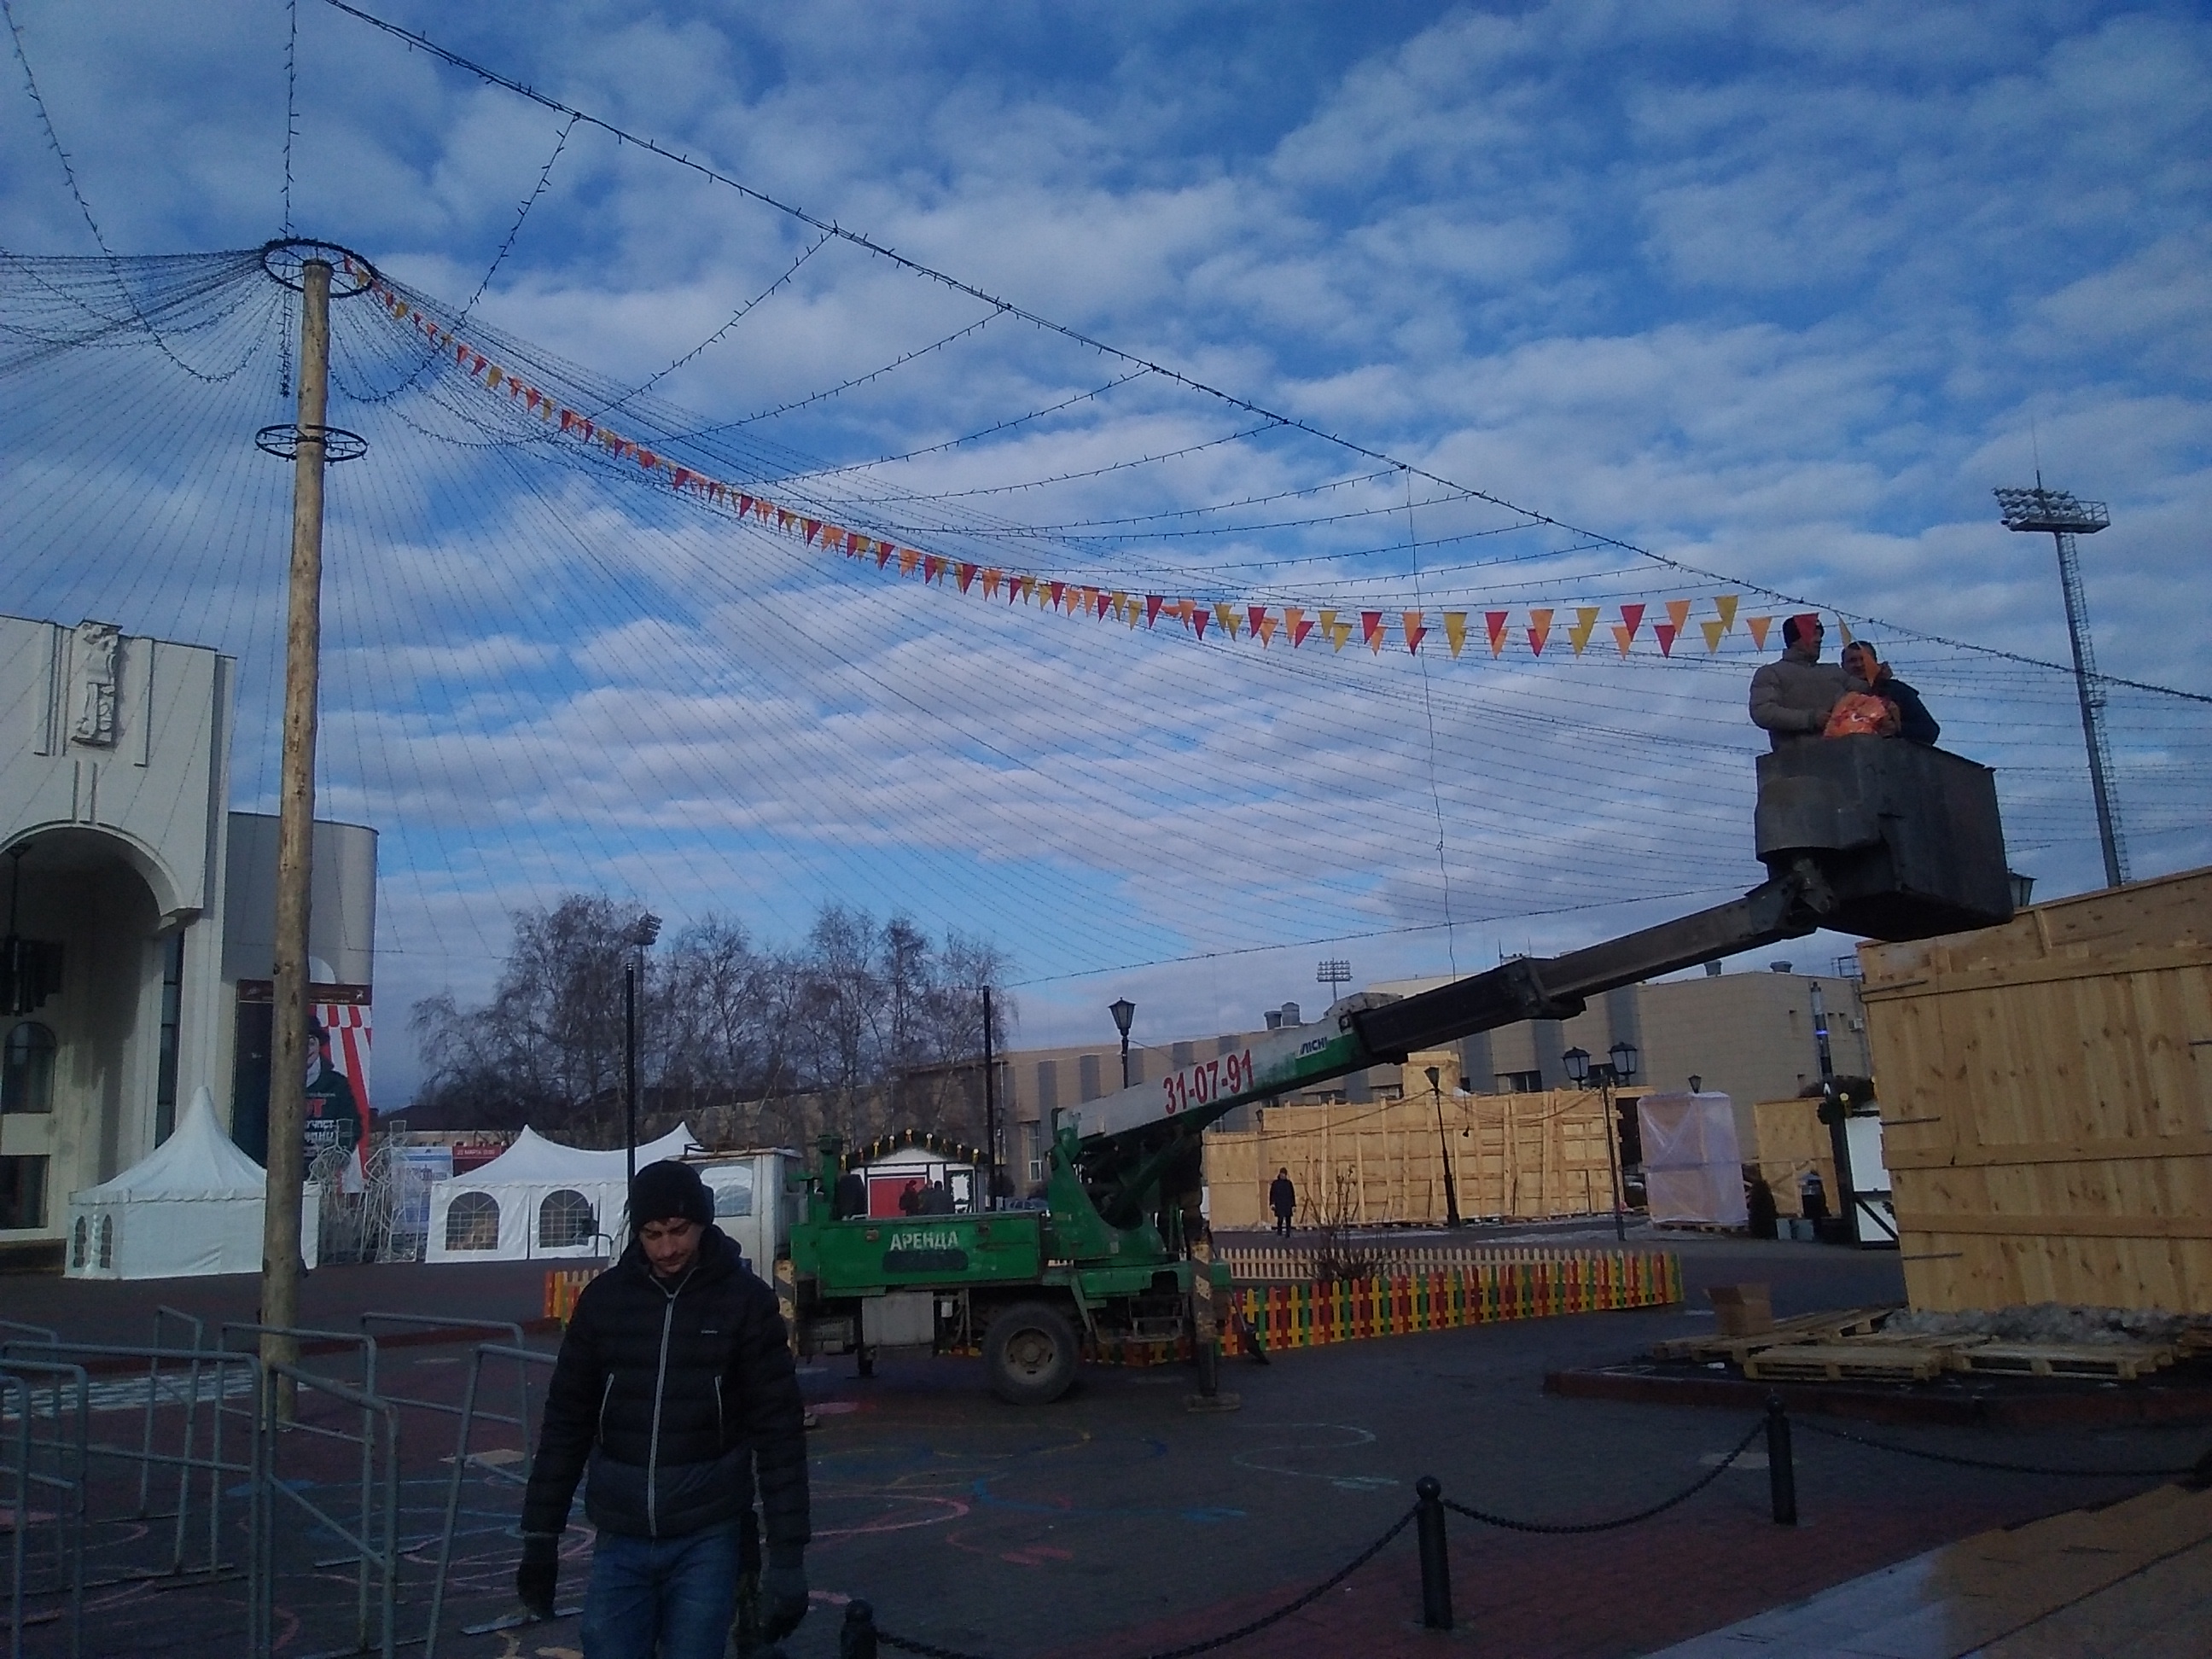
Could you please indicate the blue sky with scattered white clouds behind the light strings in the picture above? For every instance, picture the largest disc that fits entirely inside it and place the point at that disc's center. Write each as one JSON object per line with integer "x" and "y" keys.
{"x": 1771, "y": 291}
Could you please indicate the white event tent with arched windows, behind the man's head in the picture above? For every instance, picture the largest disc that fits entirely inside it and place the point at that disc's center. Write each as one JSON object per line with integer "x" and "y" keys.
{"x": 541, "y": 1200}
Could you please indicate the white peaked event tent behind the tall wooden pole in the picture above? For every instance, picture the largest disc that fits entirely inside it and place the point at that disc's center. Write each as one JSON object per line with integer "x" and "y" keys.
{"x": 194, "y": 1207}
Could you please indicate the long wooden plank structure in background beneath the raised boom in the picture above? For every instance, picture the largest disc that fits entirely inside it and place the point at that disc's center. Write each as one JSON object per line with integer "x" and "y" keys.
{"x": 1512, "y": 1156}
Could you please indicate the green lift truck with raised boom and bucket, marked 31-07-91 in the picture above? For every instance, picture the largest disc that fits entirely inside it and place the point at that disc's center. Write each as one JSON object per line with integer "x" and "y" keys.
{"x": 1864, "y": 835}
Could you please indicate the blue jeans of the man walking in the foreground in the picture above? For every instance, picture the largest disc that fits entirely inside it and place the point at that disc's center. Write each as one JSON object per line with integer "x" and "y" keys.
{"x": 662, "y": 1598}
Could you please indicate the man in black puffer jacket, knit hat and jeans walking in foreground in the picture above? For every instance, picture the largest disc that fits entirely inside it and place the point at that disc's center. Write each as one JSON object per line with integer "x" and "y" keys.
{"x": 674, "y": 1381}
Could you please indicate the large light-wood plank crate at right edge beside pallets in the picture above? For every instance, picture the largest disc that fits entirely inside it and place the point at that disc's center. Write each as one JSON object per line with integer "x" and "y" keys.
{"x": 2047, "y": 1103}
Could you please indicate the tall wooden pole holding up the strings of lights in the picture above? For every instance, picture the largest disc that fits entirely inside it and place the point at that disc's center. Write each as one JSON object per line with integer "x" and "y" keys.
{"x": 295, "y": 833}
